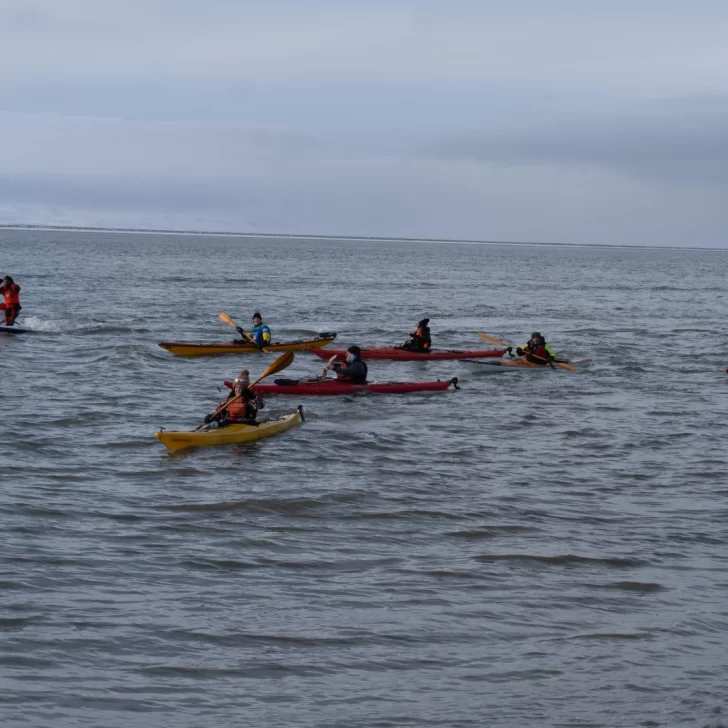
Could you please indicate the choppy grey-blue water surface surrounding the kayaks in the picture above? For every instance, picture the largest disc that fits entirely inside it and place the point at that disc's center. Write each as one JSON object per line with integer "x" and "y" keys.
{"x": 542, "y": 549}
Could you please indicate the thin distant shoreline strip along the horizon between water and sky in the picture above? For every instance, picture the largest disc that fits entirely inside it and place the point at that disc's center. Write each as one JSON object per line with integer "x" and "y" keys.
{"x": 309, "y": 236}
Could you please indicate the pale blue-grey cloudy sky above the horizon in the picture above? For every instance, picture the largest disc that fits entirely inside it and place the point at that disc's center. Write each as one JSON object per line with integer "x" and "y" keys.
{"x": 576, "y": 121}
